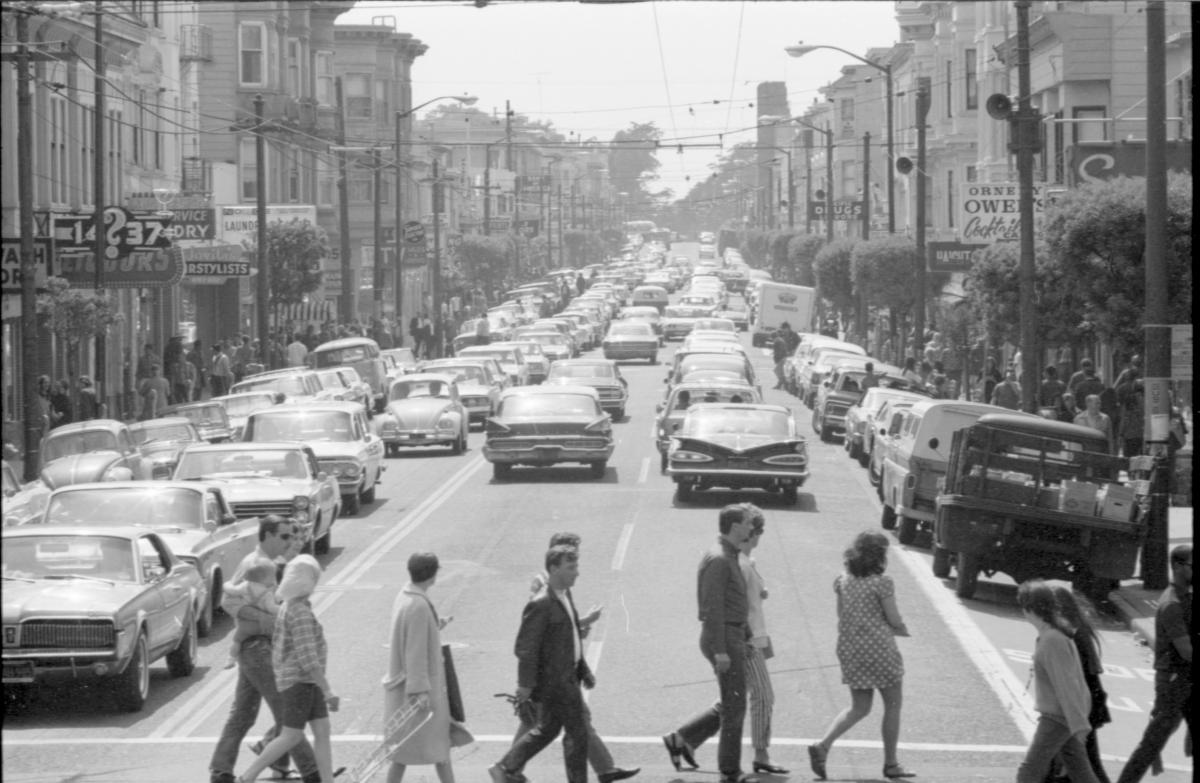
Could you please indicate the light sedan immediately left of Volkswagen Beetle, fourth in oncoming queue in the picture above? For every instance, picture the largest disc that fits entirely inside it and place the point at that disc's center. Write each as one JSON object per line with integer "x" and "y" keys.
{"x": 339, "y": 435}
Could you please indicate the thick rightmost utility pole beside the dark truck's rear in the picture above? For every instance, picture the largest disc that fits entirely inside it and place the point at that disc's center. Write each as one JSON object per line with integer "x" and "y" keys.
{"x": 1155, "y": 572}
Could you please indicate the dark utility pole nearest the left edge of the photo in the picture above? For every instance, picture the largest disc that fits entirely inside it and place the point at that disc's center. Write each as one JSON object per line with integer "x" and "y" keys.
{"x": 34, "y": 419}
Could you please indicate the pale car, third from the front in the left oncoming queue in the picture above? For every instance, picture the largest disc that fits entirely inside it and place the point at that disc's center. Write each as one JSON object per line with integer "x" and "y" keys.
{"x": 269, "y": 479}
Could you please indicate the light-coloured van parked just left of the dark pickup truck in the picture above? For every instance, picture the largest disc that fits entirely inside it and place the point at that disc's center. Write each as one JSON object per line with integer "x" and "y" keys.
{"x": 916, "y": 462}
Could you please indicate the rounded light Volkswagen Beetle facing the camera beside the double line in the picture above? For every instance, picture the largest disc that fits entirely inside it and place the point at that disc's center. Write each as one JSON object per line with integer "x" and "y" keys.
{"x": 424, "y": 409}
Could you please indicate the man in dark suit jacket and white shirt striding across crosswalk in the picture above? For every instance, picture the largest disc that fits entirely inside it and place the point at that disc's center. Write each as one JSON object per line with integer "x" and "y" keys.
{"x": 550, "y": 671}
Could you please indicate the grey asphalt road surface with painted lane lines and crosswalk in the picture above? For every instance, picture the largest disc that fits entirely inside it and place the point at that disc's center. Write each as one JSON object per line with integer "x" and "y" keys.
{"x": 967, "y": 714}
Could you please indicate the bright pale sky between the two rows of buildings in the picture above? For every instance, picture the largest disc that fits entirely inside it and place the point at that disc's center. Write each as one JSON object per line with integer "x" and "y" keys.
{"x": 689, "y": 67}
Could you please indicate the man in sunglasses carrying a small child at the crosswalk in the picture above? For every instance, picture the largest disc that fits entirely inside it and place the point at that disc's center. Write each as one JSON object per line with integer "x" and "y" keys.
{"x": 279, "y": 541}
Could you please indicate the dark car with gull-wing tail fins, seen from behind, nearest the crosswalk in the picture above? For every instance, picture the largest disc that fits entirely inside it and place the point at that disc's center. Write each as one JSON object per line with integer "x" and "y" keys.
{"x": 739, "y": 447}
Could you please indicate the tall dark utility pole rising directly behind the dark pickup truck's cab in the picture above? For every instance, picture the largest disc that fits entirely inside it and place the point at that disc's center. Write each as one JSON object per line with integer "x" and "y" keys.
{"x": 1027, "y": 142}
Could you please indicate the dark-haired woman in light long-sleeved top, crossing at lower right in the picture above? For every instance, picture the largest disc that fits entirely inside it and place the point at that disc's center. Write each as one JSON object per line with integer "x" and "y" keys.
{"x": 1061, "y": 696}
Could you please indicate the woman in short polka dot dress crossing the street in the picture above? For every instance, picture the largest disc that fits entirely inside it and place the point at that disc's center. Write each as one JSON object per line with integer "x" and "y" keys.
{"x": 868, "y": 624}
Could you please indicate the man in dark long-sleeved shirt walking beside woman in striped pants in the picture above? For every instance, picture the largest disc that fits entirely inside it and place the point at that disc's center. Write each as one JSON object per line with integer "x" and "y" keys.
{"x": 724, "y": 613}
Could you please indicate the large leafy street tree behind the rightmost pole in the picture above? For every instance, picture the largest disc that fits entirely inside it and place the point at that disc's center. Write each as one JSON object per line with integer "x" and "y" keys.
{"x": 1097, "y": 234}
